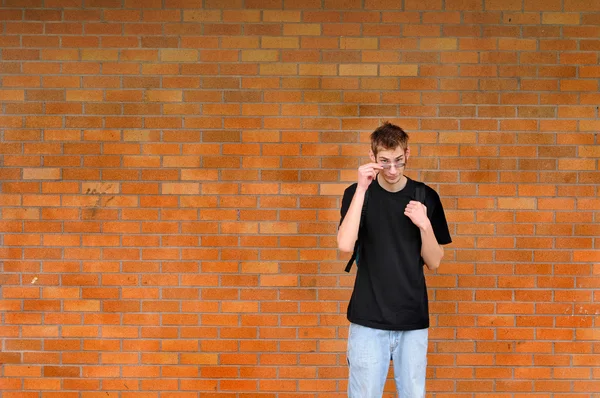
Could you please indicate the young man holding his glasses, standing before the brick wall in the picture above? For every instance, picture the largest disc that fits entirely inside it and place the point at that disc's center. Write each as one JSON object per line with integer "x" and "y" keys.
{"x": 388, "y": 310}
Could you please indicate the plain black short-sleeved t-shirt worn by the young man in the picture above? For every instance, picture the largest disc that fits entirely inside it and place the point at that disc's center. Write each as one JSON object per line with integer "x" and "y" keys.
{"x": 389, "y": 290}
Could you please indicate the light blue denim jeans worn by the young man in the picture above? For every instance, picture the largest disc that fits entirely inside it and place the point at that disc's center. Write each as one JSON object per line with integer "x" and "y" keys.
{"x": 369, "y": 354}
